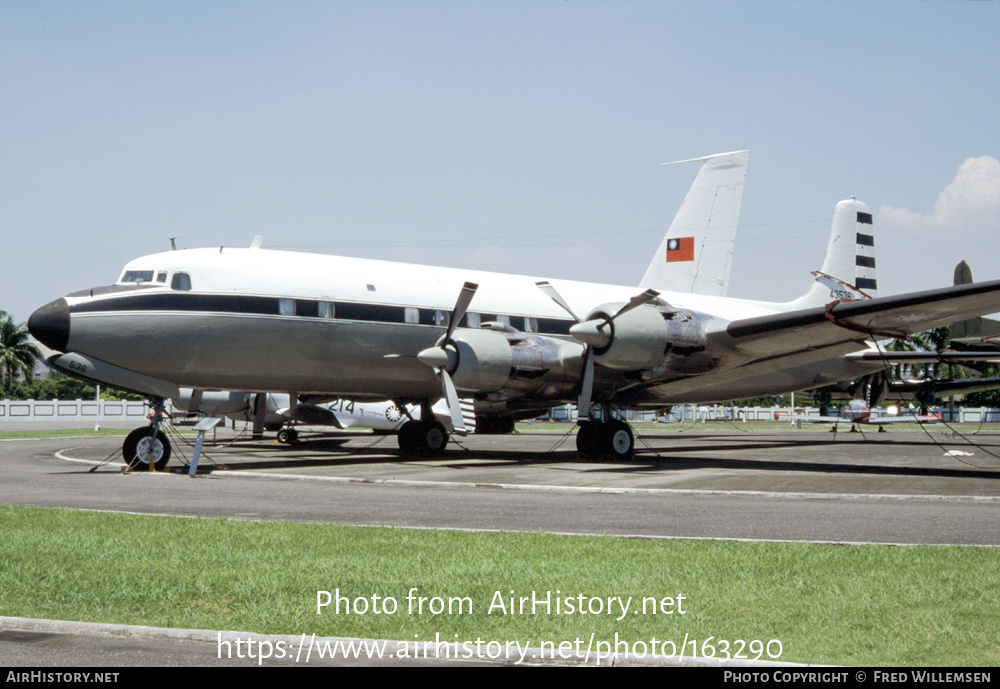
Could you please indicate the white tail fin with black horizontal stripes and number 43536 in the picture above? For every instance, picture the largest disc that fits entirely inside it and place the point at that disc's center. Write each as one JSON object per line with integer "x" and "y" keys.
{"x": 848, "y": 271}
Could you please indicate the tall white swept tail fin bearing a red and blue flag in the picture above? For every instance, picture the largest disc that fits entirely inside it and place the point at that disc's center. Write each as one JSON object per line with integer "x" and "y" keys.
{"x": 696, "y": 254}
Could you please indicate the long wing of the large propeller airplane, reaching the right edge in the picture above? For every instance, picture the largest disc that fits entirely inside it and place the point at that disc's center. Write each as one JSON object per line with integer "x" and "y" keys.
{"x": 895, "y": 316}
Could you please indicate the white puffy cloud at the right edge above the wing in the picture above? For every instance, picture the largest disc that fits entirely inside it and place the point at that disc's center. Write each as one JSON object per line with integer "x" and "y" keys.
{"x": 970, "y": 203}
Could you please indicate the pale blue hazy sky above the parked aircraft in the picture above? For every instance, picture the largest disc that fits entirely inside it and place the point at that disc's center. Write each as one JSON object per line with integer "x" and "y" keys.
{"x": 515, "y": 136}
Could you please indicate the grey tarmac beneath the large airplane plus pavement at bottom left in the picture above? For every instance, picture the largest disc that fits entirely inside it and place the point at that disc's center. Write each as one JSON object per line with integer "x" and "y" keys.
{"x": 705, "y": 481}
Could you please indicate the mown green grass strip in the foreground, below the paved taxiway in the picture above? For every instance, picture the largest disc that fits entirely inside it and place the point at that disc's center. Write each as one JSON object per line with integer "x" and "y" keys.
{"x": 861, "y": 605}
